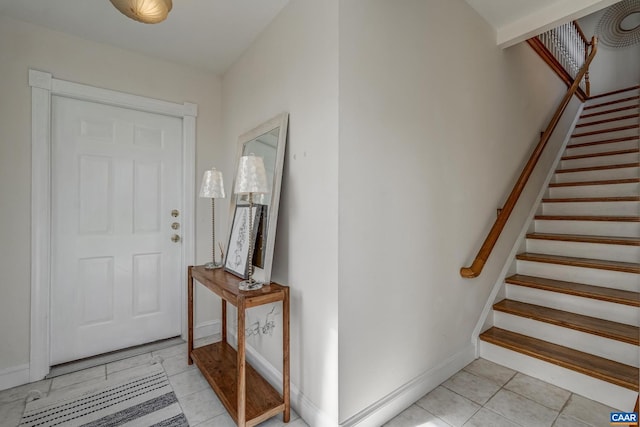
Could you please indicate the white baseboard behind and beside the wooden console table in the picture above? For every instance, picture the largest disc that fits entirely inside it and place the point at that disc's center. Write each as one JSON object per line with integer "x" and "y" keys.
{"x": 309, "y": 412}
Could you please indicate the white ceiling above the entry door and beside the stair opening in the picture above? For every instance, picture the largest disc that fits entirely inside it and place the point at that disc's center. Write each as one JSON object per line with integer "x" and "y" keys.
{"x": 212, "y": 34}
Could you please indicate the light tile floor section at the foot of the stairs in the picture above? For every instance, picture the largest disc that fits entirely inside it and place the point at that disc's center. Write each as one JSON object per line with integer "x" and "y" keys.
{"x": 484, "y": 394}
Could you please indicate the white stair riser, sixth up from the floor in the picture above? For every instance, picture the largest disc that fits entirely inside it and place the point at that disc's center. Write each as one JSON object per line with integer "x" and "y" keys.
{"x": 590, "y": 228}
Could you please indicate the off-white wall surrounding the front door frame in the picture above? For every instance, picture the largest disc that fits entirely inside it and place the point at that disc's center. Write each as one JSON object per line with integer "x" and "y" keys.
{"x": 24, "y": 46}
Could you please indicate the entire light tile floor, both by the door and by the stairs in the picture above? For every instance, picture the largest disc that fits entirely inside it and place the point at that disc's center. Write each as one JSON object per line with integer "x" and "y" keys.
{"x": 483, "y": 394}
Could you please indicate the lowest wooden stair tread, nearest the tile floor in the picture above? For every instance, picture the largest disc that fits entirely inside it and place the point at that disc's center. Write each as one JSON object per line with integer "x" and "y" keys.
{"x": 598, "y": 367}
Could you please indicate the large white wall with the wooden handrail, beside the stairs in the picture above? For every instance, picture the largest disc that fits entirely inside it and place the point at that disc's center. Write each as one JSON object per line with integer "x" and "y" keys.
{"x": 436, "y": 122}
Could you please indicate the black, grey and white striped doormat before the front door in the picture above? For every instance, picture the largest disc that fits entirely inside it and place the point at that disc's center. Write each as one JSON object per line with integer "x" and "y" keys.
{"x": 141, "y": 398}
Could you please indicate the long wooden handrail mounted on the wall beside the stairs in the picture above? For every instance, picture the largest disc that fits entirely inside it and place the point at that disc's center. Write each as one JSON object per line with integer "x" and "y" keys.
{"x": 475, "y": 268}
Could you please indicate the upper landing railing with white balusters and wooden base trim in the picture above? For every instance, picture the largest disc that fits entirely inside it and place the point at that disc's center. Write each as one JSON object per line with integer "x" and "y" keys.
{"x": 565, "y": 49}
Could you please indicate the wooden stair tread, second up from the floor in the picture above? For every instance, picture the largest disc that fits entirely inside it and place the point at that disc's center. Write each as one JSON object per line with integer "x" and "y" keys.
{"x": 591, "y": 325}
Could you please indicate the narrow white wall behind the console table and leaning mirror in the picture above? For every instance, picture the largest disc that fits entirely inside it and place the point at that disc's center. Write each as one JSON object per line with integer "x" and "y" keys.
{"x": 293, "y": 67}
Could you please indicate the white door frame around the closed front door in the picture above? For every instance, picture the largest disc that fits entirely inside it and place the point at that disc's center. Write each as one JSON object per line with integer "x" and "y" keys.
{"x": 43, "y": 86}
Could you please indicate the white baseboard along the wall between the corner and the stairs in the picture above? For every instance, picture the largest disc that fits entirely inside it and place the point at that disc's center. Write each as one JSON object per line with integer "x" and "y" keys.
{"x": 403, "y": 397}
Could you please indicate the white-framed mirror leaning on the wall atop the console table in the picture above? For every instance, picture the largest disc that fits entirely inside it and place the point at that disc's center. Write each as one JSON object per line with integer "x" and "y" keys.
{"x": 267, "y": 141}
